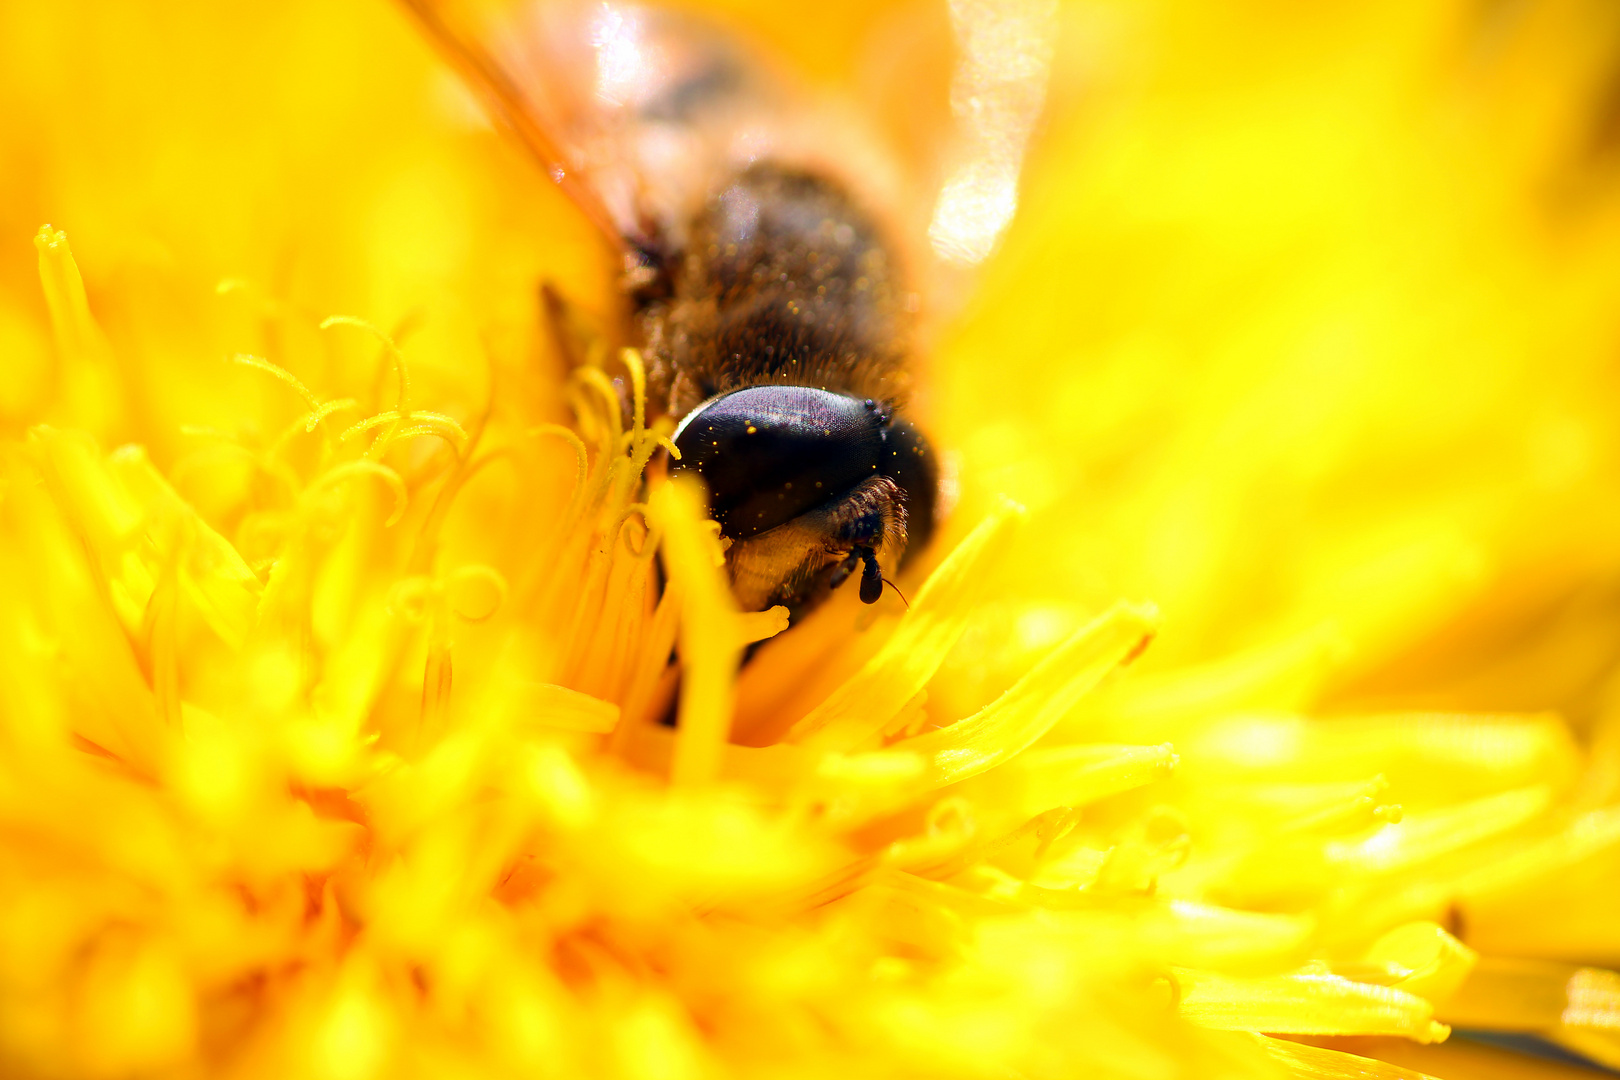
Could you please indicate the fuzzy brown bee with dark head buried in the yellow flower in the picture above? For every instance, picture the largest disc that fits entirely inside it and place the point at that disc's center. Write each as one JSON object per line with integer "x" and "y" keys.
{"x": 774, "y": 258}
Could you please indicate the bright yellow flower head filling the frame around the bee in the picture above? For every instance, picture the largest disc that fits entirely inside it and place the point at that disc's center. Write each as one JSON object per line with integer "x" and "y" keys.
{"x": 338, "y": 652}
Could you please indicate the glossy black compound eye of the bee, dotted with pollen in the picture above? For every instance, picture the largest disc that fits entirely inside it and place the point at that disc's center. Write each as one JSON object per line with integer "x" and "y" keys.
{"x": 769, "y": 454}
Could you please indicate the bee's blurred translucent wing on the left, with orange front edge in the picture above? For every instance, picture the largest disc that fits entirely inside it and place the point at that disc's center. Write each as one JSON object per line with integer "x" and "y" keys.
{"x": 631, "y": 109}
